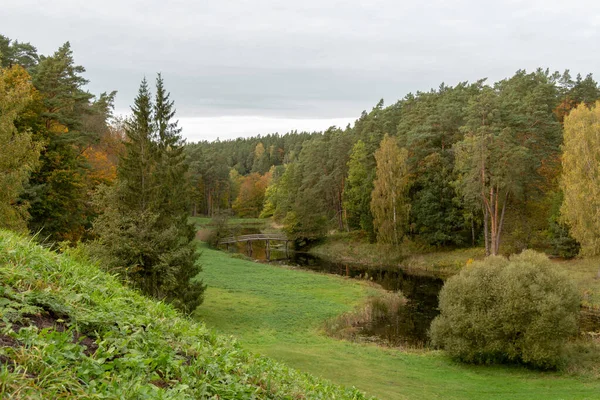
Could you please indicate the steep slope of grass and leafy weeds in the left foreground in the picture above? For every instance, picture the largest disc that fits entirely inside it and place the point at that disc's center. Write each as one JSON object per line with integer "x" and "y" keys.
{"x": 69, "y": 330}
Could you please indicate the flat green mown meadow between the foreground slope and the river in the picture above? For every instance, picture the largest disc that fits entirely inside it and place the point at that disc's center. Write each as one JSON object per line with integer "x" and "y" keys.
{"x": 278, "y": 312}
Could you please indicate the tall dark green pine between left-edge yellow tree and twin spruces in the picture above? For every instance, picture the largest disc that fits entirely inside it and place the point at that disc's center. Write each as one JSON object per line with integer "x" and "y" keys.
{"x": 58, "y": 189}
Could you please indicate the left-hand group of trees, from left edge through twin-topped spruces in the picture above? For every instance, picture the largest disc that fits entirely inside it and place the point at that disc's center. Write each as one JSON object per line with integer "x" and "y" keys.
{"x": 71, "y": 173}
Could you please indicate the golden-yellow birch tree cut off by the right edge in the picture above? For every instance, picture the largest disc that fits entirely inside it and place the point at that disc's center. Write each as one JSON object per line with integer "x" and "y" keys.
{"x": 581, "y": 176}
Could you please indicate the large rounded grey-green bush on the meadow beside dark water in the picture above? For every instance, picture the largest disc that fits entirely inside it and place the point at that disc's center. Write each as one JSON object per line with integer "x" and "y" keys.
{"x": 500, "y": 310}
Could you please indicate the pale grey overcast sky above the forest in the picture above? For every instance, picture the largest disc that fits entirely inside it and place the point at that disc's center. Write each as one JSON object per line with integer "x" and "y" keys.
{"x": 240, "y": 68}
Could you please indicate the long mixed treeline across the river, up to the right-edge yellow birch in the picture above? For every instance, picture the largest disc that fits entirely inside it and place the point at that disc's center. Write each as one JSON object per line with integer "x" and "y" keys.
{"x": 462, "y": 165}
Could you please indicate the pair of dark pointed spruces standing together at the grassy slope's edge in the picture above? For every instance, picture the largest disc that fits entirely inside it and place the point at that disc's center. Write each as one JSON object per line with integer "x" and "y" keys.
{"x": 143, "y": 231}
